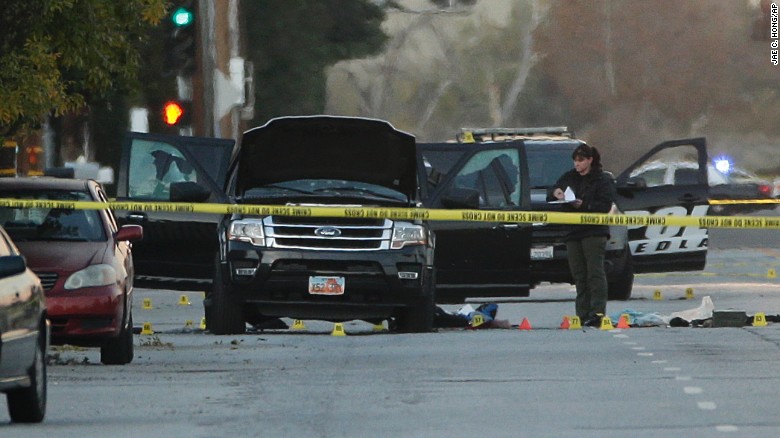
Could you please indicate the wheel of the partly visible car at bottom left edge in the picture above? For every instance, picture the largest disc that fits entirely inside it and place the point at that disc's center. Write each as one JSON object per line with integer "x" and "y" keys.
{"x": 28, "y": 405}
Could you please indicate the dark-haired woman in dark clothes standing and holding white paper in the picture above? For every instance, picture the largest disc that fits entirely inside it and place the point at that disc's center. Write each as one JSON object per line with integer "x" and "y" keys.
{"x": 586, "y": 244}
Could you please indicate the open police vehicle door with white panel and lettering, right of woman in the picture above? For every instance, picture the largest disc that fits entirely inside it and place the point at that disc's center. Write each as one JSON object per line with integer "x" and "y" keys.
{"x": 671, "y": 179}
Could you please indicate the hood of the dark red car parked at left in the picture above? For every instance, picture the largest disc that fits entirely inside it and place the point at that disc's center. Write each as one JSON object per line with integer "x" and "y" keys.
{"x": 61, "y": 257}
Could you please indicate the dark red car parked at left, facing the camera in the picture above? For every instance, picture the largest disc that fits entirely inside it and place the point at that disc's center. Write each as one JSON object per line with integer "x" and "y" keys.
{"x": 83, "y": 259}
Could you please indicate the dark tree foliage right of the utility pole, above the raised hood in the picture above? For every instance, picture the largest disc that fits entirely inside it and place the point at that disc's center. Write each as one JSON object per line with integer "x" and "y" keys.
{"x": 291, "y": 42}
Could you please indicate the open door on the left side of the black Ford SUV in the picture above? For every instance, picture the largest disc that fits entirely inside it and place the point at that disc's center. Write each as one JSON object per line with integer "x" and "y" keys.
{"x": 178, "y": 249}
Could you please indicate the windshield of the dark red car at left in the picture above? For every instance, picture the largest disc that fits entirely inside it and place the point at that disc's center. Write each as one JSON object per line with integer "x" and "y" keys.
{"x": 49, "y": 224}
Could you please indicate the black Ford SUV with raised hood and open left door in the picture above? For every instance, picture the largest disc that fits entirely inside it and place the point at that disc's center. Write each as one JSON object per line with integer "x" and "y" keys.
{"x": 276, "y": 265}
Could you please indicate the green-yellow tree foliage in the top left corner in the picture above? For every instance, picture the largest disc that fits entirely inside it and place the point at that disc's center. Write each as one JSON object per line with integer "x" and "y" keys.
{"x": 57, "y": 56}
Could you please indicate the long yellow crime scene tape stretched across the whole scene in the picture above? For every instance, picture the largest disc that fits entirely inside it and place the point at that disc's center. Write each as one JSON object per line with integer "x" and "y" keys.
{"x": 756, "y": 222}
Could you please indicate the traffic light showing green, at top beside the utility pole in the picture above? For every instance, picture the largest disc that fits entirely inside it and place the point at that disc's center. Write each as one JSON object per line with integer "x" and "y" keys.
{"x": 181, "y": 41}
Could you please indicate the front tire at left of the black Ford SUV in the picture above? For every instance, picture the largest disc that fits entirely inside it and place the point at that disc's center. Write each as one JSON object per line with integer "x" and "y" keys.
{"x": 222, "y": 310}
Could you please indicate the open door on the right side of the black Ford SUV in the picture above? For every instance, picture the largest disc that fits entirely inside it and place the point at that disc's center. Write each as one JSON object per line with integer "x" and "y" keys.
{"x": 478, "y": 259}
